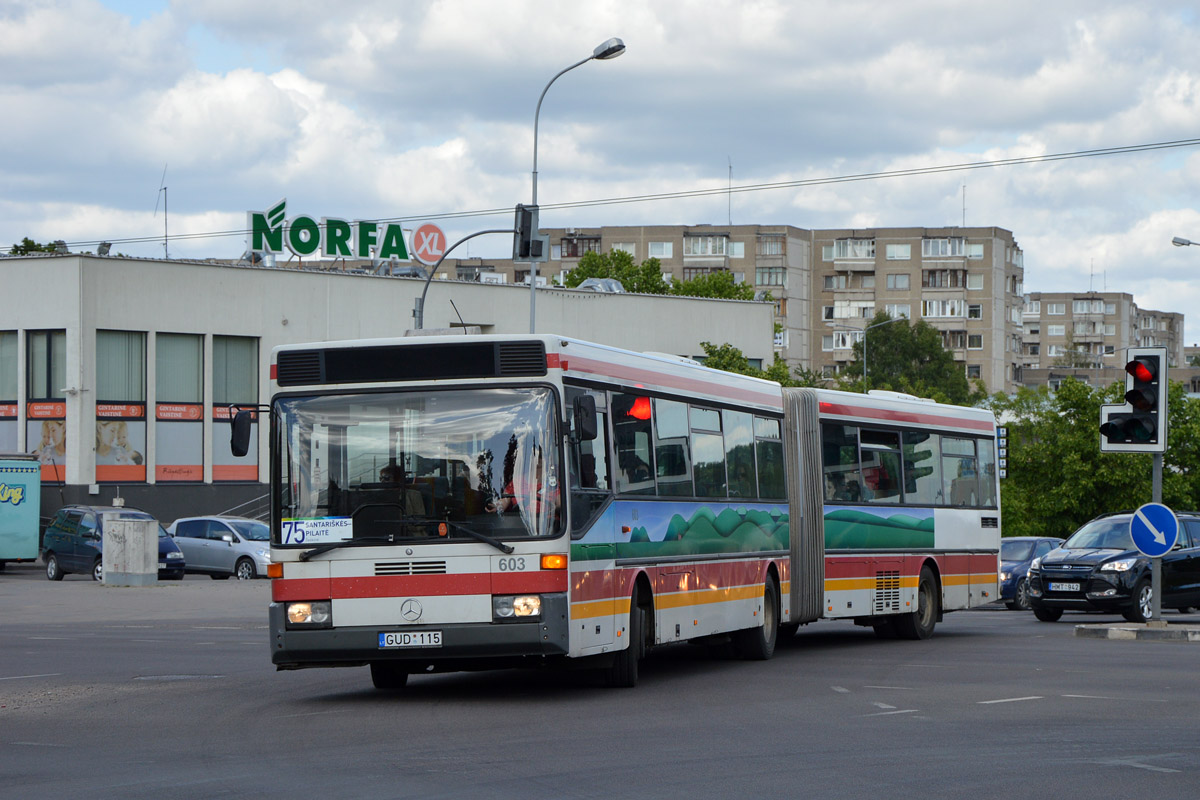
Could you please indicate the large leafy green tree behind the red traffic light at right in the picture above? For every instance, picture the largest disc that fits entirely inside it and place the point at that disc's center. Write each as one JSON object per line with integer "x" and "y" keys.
{"x": 1059, "y": 479}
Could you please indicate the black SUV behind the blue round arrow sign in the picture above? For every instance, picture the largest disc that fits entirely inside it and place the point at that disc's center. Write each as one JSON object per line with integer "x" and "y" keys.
{"x": 1100, "y": 569}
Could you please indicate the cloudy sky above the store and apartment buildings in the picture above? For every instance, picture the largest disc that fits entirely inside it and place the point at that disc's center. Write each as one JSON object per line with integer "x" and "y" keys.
{"x": 424, "y": 110}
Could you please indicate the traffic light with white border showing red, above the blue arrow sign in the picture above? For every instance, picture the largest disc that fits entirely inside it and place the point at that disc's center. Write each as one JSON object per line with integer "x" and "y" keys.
{"x": 1141, "y": 425}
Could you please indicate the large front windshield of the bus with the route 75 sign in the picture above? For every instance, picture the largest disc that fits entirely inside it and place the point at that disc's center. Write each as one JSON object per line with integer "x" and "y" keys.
{"x": 424, "y": 466}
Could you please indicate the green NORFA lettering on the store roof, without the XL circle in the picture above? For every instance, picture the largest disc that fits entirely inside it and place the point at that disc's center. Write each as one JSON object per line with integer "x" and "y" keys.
{"x": 305, "y": 236}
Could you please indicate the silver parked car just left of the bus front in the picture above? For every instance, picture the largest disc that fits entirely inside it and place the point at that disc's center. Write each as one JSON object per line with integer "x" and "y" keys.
{"x": 224, "y": 546}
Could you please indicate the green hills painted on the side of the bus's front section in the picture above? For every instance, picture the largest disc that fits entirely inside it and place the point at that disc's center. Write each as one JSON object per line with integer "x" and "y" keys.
{"x": 733, "y": 531}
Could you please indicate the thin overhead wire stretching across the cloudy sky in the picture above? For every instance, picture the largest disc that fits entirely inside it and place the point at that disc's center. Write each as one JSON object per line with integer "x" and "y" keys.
{"x": 727, "y": 190}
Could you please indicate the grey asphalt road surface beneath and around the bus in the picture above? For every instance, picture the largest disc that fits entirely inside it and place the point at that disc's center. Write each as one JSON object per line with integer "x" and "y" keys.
{"x": 169, "y": 693}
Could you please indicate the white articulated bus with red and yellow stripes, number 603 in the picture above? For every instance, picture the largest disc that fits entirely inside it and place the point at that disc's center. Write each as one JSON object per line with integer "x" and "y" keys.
{"x": 479, "y": 502}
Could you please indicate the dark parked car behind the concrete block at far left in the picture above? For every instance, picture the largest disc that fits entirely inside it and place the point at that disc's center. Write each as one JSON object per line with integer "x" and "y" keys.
{"x": 74, "y": 540}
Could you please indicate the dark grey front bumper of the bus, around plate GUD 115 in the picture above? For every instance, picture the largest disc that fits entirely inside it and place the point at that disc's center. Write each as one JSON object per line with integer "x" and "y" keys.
{"x": 465, "y": 646}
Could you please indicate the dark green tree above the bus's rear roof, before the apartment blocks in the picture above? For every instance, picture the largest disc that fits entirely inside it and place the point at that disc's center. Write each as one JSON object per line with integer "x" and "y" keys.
{"x": 907, "y": 358}
